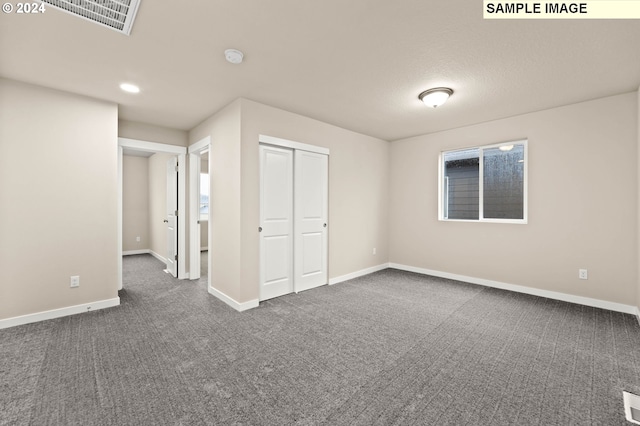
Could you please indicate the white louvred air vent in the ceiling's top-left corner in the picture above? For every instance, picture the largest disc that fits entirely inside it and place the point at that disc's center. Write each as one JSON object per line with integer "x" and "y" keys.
{"x": 115, "y": 14}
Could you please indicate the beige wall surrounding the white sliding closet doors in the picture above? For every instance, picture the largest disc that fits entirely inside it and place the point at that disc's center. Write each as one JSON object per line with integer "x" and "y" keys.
{"x": 358, "y": 190}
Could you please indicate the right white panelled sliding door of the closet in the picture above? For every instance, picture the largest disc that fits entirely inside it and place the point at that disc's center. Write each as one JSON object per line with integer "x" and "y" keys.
{"x": 311, "y": 212}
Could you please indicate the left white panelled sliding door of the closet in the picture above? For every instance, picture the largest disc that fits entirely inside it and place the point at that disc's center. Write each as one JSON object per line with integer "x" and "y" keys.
{"x": 276, "y": 222}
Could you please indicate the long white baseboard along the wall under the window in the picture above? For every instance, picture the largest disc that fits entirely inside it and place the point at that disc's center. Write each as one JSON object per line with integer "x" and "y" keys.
{"x": 596, "y": 303}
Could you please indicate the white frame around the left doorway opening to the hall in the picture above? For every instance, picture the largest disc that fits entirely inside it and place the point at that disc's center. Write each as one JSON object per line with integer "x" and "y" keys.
{"x": 146, "y": 146}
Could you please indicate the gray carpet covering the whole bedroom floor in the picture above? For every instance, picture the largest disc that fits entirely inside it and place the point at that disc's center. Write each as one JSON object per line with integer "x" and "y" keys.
{"x": 389, "y": 348}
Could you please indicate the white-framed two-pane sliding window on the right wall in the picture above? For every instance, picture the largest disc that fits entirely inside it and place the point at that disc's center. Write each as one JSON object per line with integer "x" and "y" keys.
{"x": 487, "y": 183}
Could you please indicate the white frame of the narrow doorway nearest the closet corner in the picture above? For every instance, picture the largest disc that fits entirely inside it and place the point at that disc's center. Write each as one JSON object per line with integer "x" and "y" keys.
{"x": 195, "y": 150}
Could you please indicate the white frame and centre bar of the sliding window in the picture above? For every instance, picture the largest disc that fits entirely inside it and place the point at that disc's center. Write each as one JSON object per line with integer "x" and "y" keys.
{"x": 442, "y": 194}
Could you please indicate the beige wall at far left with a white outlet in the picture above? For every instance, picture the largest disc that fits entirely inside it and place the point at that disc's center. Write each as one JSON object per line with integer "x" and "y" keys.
{"x": 62, "y": 220}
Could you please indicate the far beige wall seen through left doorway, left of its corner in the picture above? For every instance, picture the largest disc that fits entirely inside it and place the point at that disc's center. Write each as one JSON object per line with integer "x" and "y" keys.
{"x": 135, "y": 203}
